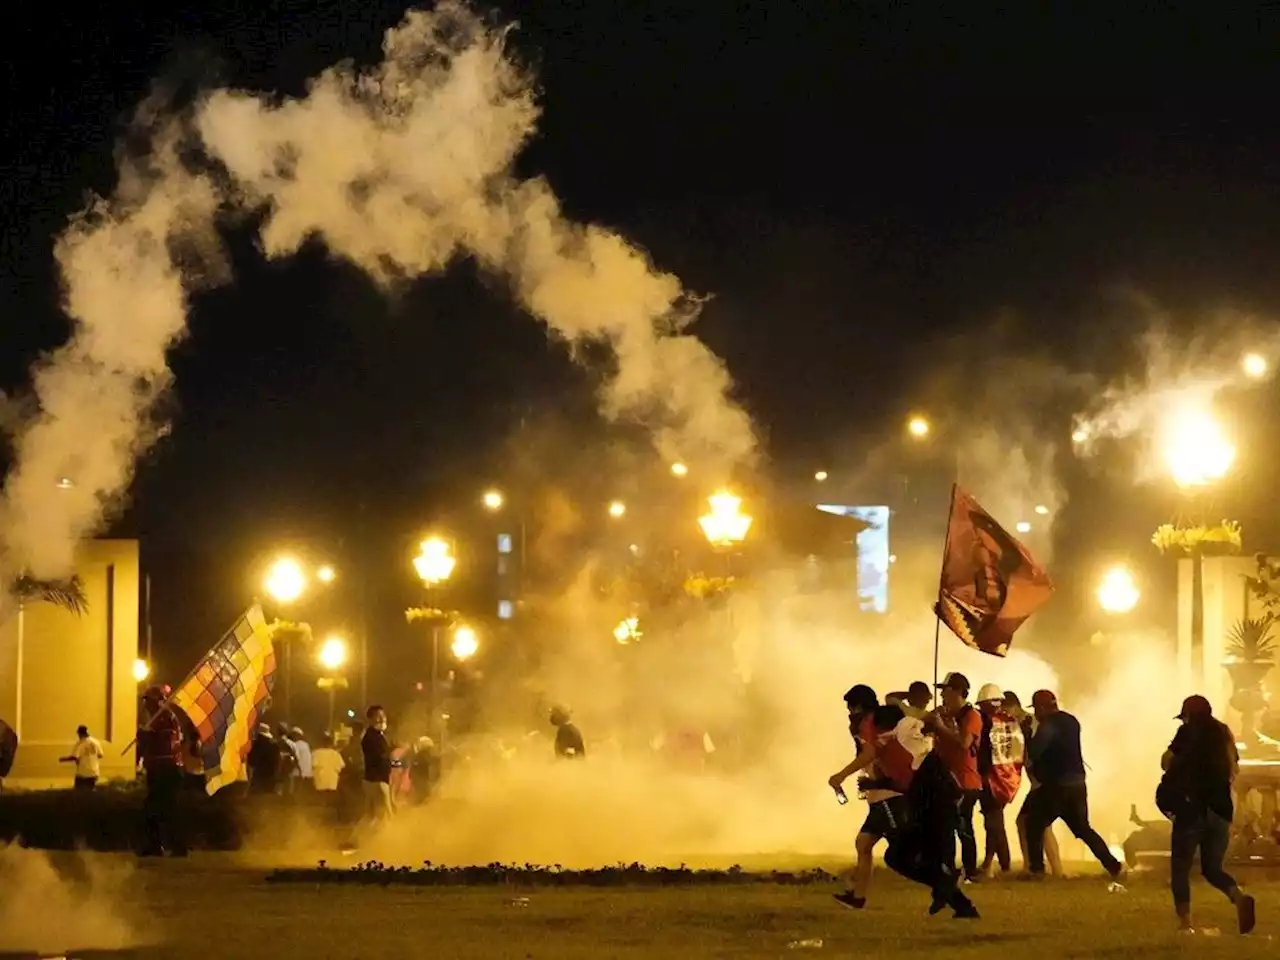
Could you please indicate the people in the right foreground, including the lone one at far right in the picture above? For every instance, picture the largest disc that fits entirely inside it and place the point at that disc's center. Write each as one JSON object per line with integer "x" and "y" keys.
{"x": 925, "y": 774}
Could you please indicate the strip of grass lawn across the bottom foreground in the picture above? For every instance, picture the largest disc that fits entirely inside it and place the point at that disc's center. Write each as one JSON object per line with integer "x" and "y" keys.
{"x": 209, "y": 907}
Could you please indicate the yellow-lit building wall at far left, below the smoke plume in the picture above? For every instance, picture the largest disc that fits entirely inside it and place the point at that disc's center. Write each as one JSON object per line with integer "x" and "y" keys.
{"x": 58, "y": 670}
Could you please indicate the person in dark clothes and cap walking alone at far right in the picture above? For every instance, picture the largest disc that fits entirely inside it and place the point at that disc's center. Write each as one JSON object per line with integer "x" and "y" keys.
{"x": 1196, "y": 794}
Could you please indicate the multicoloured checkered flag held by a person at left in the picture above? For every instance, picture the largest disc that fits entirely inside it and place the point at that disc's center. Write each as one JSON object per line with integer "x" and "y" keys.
{"x": 227, "y": 693}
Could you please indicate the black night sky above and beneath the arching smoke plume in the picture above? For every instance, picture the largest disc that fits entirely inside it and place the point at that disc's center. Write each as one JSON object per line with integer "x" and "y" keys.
{"x": 860, "y": 185}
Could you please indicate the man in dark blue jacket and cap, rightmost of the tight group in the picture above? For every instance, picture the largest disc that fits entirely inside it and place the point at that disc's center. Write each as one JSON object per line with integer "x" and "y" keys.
{"x": 1055, "y": 756}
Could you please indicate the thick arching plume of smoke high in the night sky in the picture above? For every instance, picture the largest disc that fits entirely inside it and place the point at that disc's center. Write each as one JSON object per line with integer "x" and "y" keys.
{"x": 400, "y": 170}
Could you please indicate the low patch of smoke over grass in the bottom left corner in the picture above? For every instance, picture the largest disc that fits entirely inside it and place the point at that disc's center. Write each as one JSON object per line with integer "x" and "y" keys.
{"x": 45, "y": 913}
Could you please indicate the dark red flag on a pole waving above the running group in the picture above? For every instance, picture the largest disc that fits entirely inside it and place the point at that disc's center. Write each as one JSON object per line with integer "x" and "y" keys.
{"x": 991, "y": 584}
